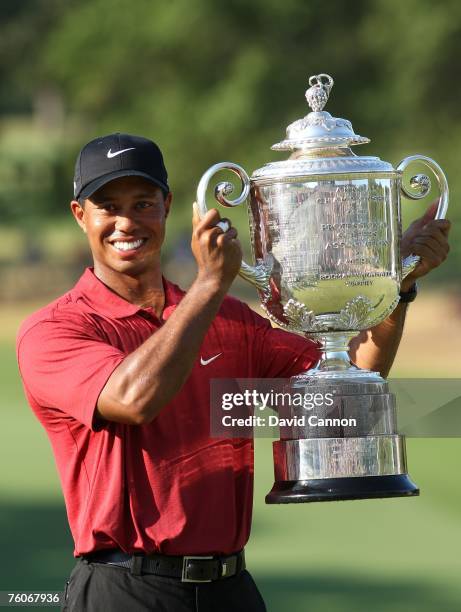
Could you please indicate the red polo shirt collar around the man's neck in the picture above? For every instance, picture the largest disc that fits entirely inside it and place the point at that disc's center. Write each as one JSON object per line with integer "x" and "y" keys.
{"x": 105, "y": 301}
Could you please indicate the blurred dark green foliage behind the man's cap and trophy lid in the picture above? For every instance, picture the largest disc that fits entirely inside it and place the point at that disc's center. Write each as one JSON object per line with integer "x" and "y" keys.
{"x": 212, "y": 80}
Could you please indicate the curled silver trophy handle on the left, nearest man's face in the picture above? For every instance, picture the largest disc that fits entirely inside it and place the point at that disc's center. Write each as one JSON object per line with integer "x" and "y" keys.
{"x": 256, "y": 275}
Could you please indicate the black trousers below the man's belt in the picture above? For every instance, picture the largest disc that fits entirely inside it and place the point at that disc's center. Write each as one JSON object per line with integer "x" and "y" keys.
{"x": 99, "y": 587}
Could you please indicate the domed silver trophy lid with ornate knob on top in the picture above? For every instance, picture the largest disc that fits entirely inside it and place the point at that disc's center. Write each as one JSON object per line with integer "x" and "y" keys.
{"x": 318, "y": 129}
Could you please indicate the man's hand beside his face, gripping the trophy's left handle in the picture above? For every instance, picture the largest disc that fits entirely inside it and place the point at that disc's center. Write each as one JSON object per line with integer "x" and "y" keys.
{"x": 218, "y": 254}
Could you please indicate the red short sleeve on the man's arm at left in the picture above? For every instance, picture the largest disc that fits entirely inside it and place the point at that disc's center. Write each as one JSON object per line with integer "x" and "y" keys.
{"x": 64, "y": 365}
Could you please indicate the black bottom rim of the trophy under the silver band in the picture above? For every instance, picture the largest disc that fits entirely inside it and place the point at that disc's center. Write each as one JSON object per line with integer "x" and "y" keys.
{"x": 337, "y": 489}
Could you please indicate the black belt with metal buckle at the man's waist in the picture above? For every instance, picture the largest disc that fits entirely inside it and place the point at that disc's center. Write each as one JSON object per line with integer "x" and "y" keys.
{"x": 190, "y": 568}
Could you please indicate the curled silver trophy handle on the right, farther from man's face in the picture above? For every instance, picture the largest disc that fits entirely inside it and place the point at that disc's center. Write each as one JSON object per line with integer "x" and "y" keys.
{"x": 421, "y": 185}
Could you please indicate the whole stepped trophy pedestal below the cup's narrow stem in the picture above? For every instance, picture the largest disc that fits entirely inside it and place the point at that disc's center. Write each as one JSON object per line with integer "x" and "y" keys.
{"x": 345, "y": 448}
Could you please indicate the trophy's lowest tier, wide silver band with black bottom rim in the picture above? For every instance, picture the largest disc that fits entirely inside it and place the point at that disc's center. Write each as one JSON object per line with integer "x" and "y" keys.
{"x": 333, "y": 469}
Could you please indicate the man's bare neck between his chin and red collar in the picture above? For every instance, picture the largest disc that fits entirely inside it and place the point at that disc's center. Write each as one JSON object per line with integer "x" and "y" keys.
{"x": 143, "y": 290}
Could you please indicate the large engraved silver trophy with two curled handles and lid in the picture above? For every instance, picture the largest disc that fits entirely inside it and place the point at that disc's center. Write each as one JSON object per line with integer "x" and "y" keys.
{"x": 325, "y": 229}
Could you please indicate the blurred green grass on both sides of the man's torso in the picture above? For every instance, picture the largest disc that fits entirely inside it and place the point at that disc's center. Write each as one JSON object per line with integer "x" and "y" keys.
{"x": 396, "y": 555}
